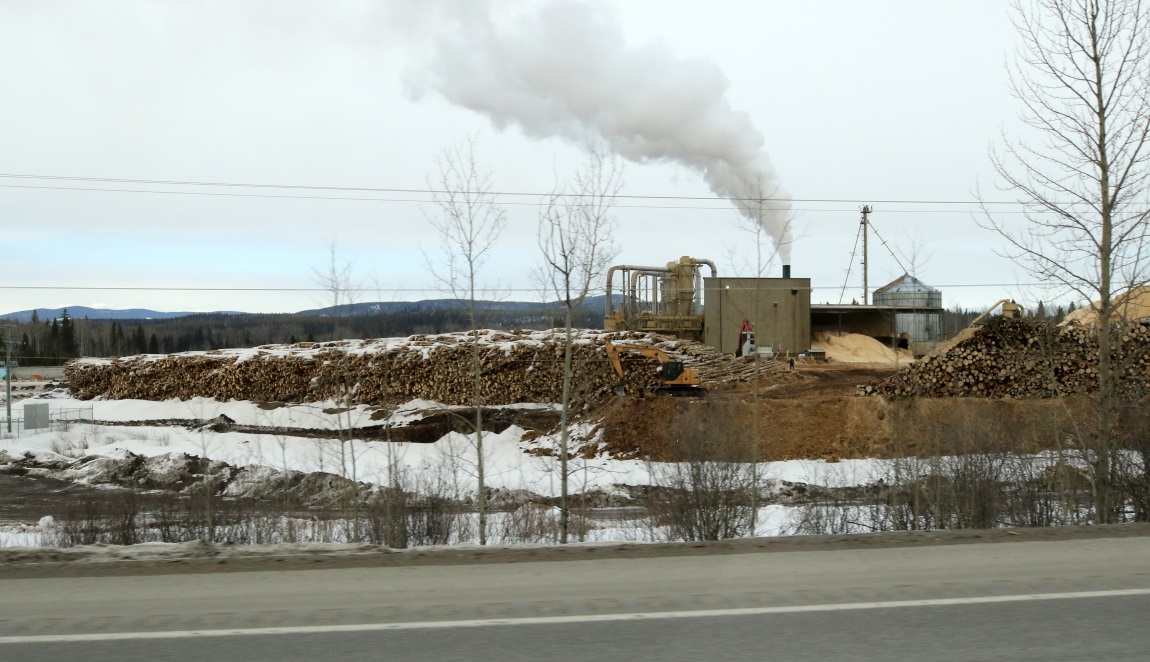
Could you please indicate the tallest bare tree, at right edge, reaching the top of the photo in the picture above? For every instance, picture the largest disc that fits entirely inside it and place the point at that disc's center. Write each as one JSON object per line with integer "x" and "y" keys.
{"x": 1083, "y": 76}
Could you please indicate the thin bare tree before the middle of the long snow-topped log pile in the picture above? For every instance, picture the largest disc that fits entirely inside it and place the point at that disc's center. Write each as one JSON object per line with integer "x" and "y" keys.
{"x": 469, "y": 225}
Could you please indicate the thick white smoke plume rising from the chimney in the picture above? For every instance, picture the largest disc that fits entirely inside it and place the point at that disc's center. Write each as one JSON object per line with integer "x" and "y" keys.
{"x": 565, "y": 71}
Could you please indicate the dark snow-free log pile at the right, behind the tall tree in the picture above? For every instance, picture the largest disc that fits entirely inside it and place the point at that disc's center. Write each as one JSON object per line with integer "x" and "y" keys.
{"x": 1025, "y": 359}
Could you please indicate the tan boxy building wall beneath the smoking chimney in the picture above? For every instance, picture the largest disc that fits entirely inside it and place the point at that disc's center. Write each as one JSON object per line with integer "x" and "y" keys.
{"x": 779, "y": 310}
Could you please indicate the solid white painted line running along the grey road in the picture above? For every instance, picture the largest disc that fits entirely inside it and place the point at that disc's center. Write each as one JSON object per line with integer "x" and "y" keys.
{"x": 563, "y": 620}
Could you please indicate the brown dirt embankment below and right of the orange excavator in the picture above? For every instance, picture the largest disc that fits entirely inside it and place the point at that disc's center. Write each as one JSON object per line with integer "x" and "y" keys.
{"x": 815, "y": 414}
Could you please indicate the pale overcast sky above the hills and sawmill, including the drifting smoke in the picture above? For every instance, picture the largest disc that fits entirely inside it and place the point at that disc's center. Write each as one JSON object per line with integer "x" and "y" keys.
{"x": 893, "y": 104}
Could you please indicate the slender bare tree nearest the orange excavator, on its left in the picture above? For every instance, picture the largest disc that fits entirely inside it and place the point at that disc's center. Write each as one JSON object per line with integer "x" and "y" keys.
{"x": 577, "y": 238}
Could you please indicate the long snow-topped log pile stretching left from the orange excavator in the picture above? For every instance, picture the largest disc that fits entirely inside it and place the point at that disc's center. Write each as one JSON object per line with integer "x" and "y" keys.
{"x": 525, "y": 367}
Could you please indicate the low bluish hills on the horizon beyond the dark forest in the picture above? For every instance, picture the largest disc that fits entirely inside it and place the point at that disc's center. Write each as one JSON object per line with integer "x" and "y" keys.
{"x": 366, "y": 309}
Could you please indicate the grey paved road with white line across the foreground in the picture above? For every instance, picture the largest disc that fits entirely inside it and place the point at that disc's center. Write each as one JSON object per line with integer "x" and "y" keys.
{"x": 953, "y": 603}
